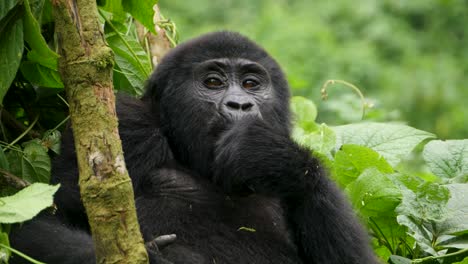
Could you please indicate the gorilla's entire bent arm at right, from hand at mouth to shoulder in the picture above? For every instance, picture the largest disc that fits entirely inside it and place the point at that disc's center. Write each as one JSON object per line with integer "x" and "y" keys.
{"x": 252, "y": 157}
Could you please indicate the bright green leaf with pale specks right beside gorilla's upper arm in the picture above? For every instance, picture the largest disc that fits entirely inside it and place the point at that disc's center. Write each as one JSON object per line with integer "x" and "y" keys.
{"x": 374, "y": 194}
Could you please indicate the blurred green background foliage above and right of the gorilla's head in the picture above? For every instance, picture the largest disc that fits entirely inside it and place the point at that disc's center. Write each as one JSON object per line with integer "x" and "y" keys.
{"x": 410, "y": 55}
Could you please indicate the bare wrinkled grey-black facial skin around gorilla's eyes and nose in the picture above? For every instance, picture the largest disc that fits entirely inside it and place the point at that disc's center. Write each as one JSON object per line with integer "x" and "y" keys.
{"x": 237, "y": 87}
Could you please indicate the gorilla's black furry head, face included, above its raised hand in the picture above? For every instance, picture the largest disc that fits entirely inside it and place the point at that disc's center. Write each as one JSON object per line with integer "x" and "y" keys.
{"x": 205, "y": 84}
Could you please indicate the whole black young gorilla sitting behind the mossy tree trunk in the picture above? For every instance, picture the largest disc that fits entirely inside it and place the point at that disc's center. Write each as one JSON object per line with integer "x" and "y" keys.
{"x": 211, "y": 159}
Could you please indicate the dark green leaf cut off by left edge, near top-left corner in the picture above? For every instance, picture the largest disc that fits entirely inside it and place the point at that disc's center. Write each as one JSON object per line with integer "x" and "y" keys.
{"x": 11, "y": 49}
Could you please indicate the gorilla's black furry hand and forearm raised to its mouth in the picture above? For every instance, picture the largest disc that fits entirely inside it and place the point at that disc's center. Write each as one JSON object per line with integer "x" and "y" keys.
{"x": 252, "y": 156}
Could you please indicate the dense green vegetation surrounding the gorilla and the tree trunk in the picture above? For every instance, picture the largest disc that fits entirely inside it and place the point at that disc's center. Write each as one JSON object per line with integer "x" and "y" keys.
{"x": 407, "y": 186}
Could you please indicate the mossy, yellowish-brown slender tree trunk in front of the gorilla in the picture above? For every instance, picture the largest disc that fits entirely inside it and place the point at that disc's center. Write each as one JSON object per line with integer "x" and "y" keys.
{"x": 86, "y": 69}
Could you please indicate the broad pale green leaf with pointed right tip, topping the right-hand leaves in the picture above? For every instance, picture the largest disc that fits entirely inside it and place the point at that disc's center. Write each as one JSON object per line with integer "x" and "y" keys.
{"x": 393, "y": 141}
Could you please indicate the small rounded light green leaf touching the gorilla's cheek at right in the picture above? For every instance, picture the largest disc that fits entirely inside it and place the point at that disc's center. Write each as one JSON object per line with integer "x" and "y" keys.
{"x": 305, "y": 113}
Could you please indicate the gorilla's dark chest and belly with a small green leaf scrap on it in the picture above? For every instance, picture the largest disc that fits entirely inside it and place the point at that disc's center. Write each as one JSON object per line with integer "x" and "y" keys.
{"x": 212, "y": 227}
